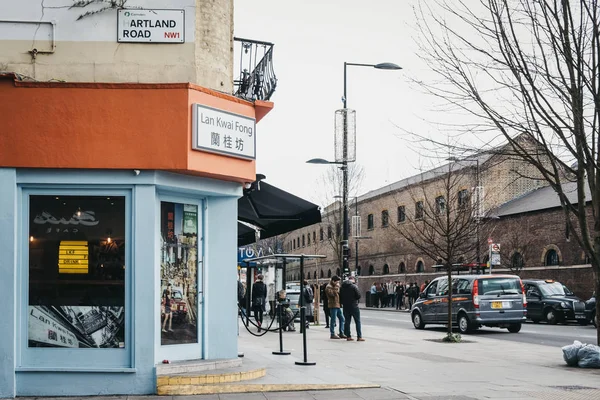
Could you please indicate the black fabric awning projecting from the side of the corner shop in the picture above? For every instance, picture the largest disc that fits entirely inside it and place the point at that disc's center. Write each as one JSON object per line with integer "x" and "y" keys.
{"x": 273, "y": 211}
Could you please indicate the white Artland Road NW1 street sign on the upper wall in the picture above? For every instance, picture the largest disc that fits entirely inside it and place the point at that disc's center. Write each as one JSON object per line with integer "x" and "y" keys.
{"x": 150, "y": 26}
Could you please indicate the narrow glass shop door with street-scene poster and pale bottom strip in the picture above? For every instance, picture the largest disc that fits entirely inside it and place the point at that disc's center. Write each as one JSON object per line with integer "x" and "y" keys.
{"x": 180, "y": 280}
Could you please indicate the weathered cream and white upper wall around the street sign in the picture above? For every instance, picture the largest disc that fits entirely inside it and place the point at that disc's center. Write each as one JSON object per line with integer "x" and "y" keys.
{"x": 86, "y": 50}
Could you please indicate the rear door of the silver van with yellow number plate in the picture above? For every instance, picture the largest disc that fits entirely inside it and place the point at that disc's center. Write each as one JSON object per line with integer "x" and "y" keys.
{"x": 500, "y": 298}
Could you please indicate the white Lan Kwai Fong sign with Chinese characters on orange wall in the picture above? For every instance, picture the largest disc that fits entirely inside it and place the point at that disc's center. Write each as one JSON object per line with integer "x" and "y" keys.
{"x": 223, "y": 132}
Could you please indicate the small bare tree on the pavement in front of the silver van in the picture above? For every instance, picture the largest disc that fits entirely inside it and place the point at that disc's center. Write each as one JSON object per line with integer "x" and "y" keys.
{"x": 443, "y": 224}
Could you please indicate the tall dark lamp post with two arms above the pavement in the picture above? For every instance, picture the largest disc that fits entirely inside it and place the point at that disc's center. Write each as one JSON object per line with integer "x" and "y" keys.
{"x": 345, "y": 159}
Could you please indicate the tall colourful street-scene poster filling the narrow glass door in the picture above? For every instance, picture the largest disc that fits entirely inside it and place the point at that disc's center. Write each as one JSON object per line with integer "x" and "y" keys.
{"x": 178, "y": 261}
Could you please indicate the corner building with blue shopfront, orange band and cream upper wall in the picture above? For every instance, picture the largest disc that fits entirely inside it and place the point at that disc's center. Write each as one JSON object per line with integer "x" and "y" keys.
{"x": 118, "y": 200}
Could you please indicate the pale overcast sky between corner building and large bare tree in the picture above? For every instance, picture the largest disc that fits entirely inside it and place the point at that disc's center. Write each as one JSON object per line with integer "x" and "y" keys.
{"x": 313, "y": 39}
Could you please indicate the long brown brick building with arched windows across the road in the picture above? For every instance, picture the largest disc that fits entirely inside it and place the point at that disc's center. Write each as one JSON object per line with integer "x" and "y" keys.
{"x": 517, "y": 210}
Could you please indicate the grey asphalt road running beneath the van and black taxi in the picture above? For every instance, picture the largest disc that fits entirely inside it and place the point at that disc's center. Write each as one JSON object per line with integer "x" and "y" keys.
{"x": 549, "y": 335}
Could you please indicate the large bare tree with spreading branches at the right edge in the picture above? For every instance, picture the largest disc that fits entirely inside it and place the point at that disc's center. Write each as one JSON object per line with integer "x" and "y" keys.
{"x": 531, "y": 69}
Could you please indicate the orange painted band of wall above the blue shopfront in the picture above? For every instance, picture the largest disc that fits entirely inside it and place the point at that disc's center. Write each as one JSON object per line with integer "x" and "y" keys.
{"x": 112, "y": 126}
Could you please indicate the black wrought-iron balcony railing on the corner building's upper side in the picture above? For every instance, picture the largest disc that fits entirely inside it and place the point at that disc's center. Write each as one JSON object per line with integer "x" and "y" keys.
{"x": 256, "y": 79}
